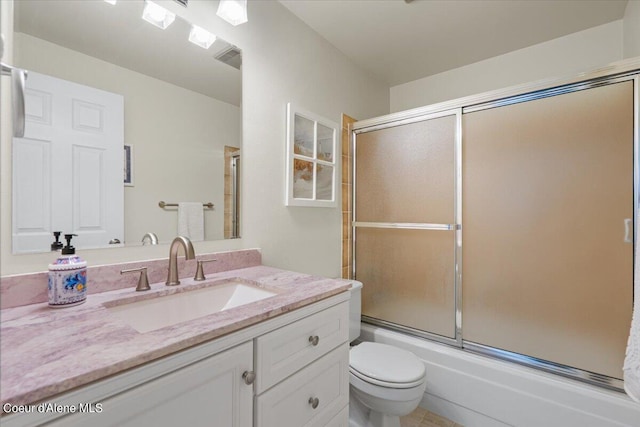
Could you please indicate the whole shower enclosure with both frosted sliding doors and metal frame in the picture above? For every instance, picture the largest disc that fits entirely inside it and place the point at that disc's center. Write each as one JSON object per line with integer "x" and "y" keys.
{"x": 505, "y": 227}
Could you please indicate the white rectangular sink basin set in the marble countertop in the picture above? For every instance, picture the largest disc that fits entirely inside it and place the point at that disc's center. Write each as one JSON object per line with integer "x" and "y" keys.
{"x": 156, "y": 313}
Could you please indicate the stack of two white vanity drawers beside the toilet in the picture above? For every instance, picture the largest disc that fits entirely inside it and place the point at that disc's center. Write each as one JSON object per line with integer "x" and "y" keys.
{"x": 303, "y": 371}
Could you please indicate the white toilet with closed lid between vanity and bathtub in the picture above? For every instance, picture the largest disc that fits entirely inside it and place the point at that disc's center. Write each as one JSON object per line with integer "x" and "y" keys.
{"x": 385, "y": 382}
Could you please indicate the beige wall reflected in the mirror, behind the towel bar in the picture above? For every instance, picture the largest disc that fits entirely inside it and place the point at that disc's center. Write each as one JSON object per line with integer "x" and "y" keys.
{"x": 178, "y": 137}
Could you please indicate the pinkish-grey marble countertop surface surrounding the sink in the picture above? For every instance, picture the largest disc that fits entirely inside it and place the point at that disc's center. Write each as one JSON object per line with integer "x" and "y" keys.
{"x": 47, "y": 351}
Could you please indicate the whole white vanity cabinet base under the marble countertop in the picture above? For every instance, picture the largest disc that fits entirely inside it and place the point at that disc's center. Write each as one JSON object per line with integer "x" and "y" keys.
{"x": 298, "y": 364}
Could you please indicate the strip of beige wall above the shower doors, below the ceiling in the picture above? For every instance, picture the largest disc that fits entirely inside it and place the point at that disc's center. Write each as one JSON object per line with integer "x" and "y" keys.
{"x": 563, "y": 56}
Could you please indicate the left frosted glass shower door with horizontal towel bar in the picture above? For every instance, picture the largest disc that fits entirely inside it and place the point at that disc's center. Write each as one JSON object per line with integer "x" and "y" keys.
{"x": 405, "y": 224}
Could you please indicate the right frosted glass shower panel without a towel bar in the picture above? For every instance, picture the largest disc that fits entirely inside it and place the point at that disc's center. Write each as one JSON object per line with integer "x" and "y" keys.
{"x": 548, "y": 227}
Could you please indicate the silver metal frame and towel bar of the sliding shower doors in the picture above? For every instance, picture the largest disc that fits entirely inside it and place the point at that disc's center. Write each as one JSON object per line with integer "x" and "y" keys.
{"x": 623, "y": 71}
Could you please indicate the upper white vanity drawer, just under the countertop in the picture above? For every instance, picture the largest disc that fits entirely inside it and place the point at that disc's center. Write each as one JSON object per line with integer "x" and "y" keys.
{"x": 283, "y": 352}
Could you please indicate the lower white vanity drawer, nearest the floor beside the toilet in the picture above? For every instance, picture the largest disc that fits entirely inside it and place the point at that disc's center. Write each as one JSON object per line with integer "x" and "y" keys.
{"x": 323, "y": 384}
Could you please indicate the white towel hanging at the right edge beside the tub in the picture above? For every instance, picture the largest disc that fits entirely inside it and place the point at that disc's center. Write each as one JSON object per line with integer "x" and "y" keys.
{"x": 632, "y": 359}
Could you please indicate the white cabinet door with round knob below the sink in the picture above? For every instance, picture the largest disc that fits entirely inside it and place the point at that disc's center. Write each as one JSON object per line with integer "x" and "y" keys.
{"x": 210, "y": 392}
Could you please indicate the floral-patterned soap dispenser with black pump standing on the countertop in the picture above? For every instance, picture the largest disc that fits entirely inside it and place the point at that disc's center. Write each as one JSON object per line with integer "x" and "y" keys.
{"x": 67, "y": 278}
